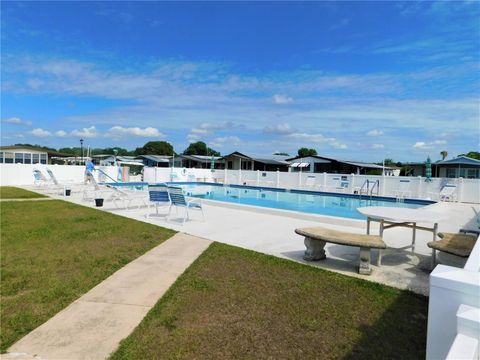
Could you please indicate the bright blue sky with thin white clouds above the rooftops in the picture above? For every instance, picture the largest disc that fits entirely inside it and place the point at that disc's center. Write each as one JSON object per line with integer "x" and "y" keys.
{"x": 355, "y": 80}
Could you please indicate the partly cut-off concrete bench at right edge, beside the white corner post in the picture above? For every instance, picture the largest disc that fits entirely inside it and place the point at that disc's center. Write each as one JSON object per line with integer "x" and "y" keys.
{"x": 460, "y": 245}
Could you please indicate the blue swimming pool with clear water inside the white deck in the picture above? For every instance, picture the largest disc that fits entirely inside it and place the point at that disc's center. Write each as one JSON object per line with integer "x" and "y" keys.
{"x": 340, "y": 205}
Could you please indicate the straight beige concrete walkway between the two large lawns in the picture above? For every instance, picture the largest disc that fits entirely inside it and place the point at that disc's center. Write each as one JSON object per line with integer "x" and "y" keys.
{"x": 93, "y": 326}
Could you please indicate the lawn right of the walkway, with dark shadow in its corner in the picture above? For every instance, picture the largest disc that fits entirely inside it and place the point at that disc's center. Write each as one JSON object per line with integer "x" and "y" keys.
{"x": 235, "y": 303}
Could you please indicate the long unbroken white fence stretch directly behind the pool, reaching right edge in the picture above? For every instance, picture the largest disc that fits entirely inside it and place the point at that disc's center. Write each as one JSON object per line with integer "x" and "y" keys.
{"x": 468, "y": 190}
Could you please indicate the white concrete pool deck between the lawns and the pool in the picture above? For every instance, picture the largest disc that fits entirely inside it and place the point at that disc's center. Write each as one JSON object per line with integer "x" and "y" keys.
{"x": 271, "y": 232}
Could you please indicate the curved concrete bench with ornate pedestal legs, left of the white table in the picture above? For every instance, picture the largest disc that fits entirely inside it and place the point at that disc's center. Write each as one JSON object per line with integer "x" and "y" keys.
{"x": 317, "y": 237}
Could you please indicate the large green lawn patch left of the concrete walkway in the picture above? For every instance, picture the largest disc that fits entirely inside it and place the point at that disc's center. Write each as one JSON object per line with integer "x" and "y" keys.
{"x": 52, "y": 252}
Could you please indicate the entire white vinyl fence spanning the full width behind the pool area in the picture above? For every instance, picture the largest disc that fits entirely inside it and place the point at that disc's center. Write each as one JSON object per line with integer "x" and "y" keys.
{"x": 468, "y": 190}
